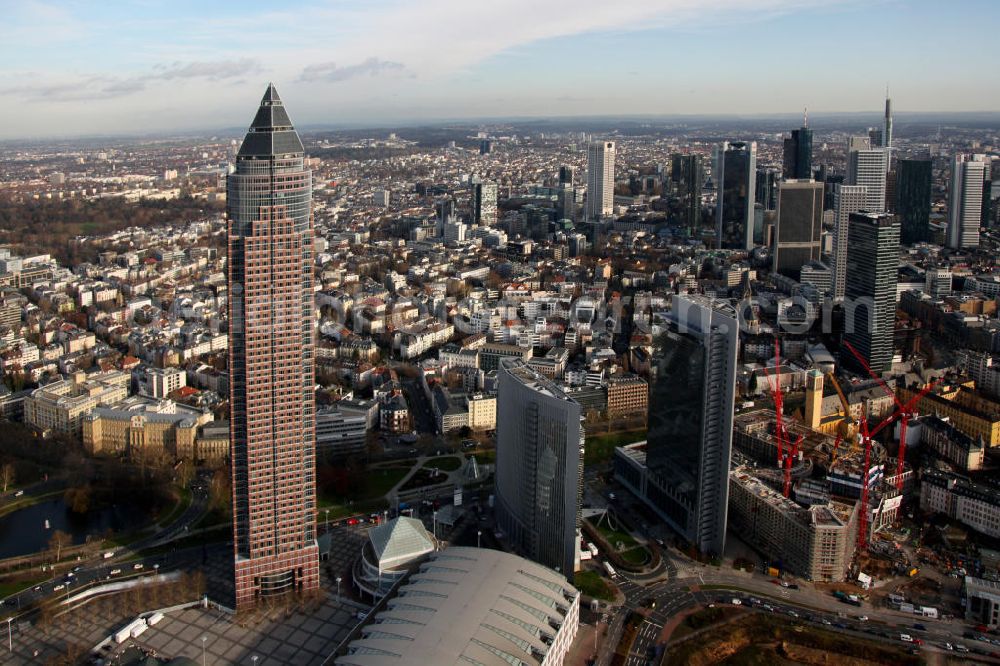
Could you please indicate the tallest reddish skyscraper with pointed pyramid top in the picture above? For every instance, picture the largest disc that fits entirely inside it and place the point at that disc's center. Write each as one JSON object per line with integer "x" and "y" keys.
{"x": 271, "y": 364}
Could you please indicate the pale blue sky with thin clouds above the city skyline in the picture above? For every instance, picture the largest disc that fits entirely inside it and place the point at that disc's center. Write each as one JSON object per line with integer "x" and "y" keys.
{"x": 78, "y": 67}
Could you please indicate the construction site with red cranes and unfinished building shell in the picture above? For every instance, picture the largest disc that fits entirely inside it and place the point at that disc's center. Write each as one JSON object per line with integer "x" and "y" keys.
{"x": 818, "y": 487}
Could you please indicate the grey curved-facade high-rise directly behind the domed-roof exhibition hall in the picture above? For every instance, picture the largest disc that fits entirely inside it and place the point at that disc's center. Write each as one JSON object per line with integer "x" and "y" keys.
{"x": 539, "y": 467}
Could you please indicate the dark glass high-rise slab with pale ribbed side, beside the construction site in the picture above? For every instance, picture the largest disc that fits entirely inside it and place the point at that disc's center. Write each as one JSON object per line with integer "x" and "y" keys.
{"x": 690, "y": 434}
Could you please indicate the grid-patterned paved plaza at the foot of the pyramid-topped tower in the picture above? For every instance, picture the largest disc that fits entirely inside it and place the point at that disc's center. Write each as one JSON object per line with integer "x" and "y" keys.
{"x": 305, "y": 634}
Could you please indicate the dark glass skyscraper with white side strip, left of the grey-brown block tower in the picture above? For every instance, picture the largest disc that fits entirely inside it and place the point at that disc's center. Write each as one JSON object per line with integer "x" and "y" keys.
{"x": 735, "y": 180}
